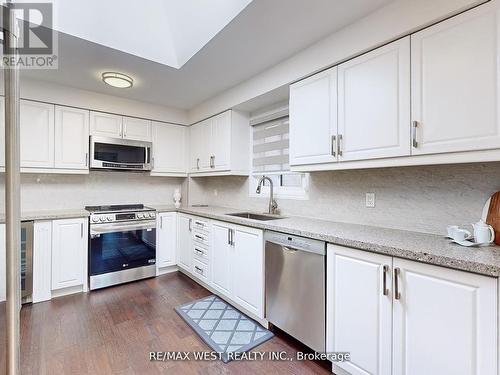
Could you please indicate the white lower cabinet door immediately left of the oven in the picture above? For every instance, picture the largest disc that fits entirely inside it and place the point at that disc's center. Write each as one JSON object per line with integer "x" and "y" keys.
{"x": 69, "y": 248}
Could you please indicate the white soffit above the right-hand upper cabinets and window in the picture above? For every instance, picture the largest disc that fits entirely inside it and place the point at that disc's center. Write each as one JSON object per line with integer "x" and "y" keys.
{"x": 396, "y": 19}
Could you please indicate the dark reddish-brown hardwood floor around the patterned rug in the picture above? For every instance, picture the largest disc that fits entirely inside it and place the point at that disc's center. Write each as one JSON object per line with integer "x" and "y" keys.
{"x": 111, "y": 331}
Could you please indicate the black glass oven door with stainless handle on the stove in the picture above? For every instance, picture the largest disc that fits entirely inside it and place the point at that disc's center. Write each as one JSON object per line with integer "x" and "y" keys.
{"x": 120, "y": 246}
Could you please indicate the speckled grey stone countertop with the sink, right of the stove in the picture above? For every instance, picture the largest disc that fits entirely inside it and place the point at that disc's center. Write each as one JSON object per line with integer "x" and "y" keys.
{"x": 422, "y": 247}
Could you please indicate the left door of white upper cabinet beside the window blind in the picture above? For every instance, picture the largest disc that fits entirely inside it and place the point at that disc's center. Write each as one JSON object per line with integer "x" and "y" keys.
{"x": 199, "y": 146}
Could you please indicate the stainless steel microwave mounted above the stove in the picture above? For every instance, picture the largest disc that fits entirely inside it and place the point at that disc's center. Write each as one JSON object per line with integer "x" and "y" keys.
{"x": 121, "y": 154}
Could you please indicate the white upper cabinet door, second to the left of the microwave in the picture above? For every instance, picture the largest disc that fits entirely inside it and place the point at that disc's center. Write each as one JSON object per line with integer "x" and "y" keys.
{"x": 37, "y": 134}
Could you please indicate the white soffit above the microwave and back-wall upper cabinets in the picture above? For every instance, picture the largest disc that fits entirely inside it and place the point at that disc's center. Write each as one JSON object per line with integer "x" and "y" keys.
{"x": 53, "y": 93}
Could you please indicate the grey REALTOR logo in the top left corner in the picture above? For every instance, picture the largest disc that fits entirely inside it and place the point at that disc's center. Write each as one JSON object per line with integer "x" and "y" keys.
{"x": 36, "y": 40}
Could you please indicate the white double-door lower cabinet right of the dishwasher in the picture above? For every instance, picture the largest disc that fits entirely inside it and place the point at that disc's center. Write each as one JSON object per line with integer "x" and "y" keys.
{"x": 422, "y": 319}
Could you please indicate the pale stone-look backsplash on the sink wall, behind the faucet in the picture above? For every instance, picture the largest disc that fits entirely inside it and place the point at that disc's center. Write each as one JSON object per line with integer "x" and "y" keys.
{"x": 425, "y": 198}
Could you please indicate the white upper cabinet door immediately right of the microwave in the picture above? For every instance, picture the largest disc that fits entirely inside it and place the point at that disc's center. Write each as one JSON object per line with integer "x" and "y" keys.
{"x": 169, "y": 148}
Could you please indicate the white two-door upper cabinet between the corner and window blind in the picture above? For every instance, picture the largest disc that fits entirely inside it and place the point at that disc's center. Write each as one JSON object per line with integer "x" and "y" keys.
{"x": 220, "y": 145}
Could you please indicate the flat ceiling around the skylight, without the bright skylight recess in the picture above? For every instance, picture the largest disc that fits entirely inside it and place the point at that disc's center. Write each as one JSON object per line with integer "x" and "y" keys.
{"x": 263, "y": 34}
